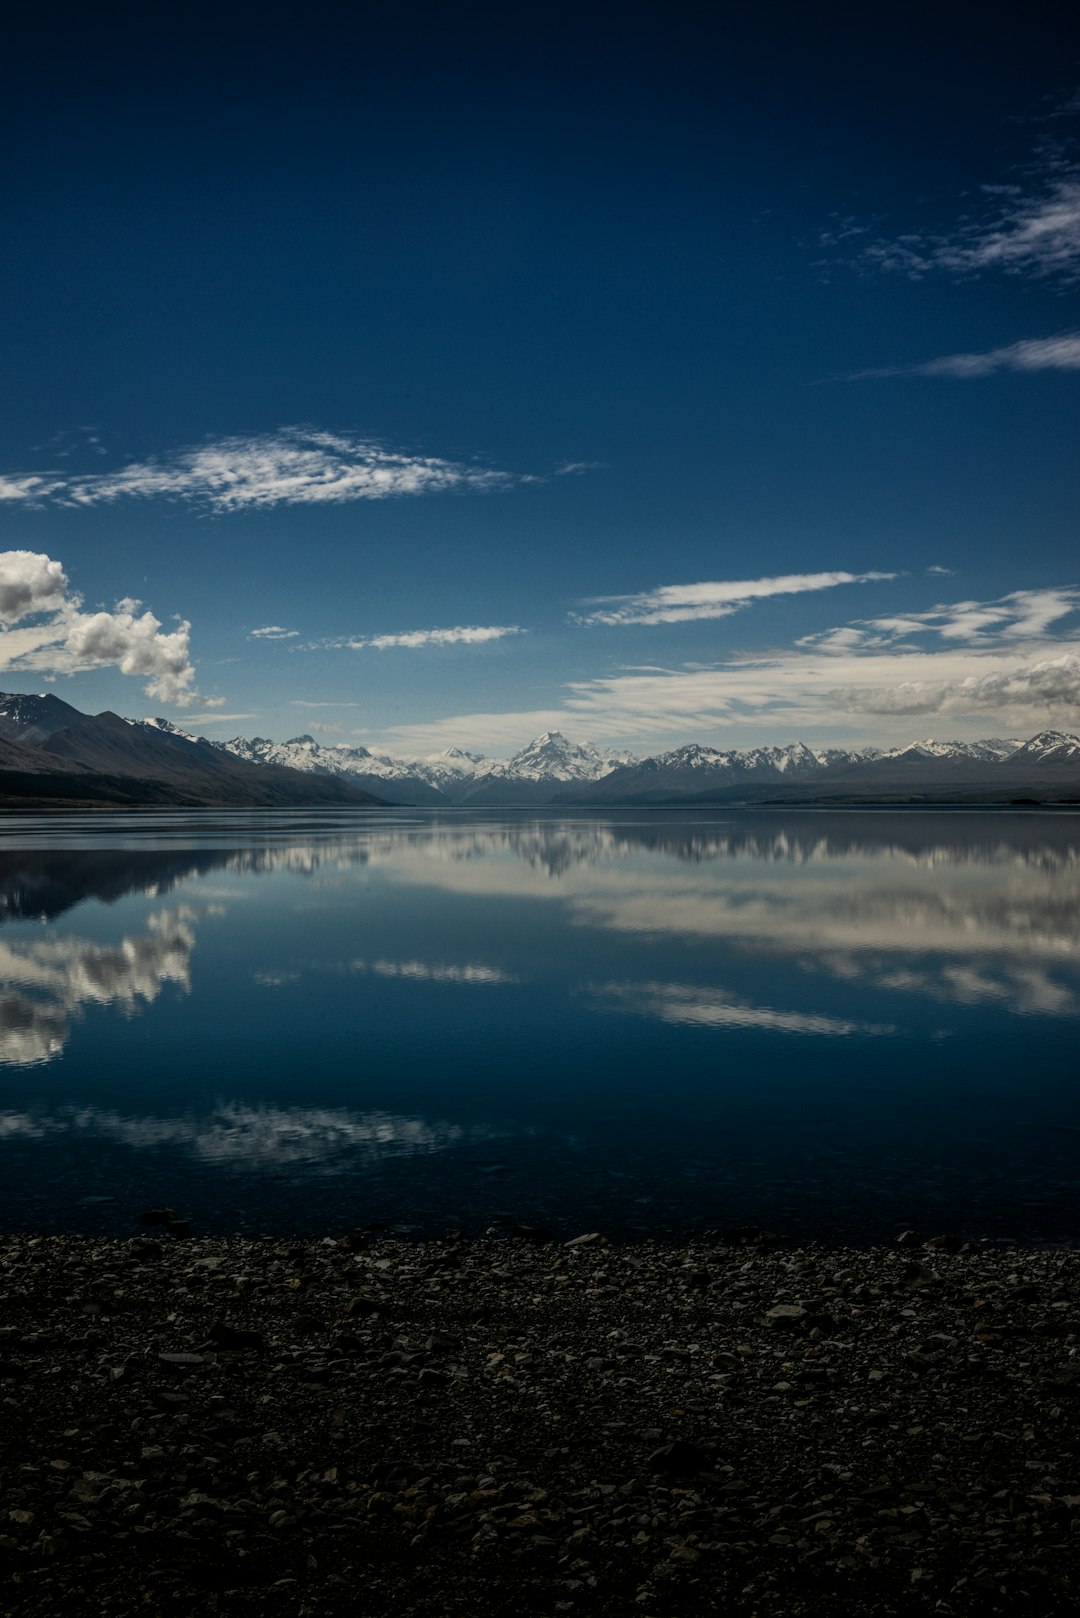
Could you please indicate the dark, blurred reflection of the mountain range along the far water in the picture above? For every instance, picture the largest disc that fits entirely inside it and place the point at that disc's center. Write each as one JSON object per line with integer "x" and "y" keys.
{"x": 46, "y": 883}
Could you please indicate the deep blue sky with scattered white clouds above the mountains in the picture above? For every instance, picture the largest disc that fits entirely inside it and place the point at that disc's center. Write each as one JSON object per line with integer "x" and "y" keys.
{"x": 420, "y": 376}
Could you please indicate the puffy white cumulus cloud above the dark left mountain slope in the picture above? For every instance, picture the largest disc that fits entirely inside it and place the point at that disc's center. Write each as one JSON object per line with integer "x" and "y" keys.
{"x": 49, "y": 630}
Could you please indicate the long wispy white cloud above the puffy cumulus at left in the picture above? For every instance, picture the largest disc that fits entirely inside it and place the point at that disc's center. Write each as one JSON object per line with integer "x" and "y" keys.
{"x": 292, "y": 467}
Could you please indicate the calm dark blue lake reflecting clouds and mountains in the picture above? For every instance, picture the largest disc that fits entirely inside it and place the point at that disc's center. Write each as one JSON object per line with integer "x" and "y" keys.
{"x": 831, "y": 1025}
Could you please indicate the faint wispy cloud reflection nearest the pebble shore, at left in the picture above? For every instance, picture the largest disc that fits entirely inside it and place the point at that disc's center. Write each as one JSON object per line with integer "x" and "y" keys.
{"x": 263, "y": 1138}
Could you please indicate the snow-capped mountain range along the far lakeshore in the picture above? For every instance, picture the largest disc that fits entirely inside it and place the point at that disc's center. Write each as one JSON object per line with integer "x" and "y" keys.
{"x": 51, "y": 753}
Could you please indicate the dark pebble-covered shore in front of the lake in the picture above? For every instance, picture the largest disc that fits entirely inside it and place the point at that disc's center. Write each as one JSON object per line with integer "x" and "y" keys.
{"x": 475, "y": 1430}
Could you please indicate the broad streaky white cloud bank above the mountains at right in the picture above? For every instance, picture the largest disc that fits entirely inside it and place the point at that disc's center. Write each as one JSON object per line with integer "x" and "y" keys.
{"x": 1006, "y": 658}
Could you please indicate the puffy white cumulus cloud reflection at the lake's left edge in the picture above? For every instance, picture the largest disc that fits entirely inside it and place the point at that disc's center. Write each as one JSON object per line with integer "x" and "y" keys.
{"x": 45, "y": 983}
